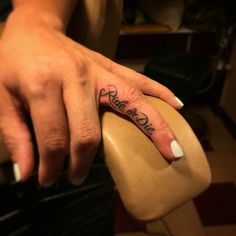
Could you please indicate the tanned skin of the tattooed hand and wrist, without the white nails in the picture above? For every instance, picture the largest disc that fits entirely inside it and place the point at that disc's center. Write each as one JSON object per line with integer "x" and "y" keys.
{"x": 61, "y": 84}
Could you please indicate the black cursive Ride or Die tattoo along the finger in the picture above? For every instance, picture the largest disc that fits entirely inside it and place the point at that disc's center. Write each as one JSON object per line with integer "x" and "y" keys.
{"x": 140, "y": 118}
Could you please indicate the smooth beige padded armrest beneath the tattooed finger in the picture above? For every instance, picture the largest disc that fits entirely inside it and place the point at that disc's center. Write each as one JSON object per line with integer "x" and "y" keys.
{"x": 148, "y": 185}
